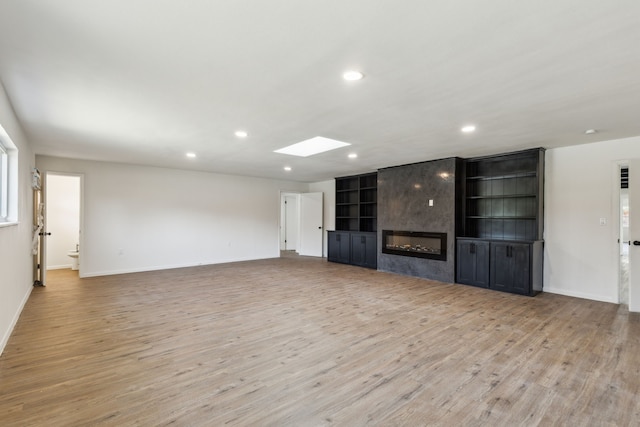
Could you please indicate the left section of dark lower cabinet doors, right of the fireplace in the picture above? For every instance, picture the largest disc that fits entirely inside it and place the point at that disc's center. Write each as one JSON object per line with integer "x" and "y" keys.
{"x": 473, "y": 262}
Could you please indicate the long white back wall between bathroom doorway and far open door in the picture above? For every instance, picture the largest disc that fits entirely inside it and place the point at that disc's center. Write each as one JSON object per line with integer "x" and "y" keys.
{"x": 139, "y": 218}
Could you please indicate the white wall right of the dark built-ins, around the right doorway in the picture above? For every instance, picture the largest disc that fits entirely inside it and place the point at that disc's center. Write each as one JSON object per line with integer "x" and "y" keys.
{"x": 581, "y": 256}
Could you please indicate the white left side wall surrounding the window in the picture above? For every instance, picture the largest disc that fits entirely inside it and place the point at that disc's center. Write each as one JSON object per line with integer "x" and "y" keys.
{"x": 16, "y": 261}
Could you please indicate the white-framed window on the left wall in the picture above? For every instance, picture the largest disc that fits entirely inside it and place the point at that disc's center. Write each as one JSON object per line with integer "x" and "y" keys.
{"x": 8, "y": 180}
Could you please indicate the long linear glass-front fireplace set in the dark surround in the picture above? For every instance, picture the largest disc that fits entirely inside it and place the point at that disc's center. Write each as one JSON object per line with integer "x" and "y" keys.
{"x": 415, "y": 243}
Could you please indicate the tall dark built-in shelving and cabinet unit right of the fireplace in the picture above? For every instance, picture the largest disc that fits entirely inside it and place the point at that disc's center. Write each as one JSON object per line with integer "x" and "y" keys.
{"x": 503, "y": 222}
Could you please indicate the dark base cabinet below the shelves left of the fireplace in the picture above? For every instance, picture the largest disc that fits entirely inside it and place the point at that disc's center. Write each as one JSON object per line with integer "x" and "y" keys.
{"x": 353, "y": 247}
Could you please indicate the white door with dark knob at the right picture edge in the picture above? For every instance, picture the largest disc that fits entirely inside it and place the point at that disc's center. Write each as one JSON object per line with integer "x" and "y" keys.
{"x": 634, "y": 235}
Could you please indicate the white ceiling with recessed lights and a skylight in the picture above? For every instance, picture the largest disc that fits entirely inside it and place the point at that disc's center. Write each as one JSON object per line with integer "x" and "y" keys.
{"x": 145, "y": 81}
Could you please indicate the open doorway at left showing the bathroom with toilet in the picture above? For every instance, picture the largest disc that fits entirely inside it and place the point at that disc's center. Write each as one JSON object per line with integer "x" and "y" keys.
{"x": 63, "y": 220}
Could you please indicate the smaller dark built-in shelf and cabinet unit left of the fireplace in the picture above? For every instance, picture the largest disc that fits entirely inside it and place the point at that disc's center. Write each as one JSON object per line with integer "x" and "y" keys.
{"x": 355, "y": 241}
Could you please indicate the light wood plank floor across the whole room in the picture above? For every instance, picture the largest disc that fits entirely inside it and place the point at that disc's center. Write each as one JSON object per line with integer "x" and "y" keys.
{"x": 302, "y": 342}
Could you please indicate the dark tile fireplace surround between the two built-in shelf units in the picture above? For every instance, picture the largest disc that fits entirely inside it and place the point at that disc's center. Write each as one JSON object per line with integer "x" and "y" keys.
{"x": 404, "y": 195}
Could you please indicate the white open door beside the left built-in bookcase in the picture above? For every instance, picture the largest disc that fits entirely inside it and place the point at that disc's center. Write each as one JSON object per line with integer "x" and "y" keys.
{"x": 311, "y": 225}
